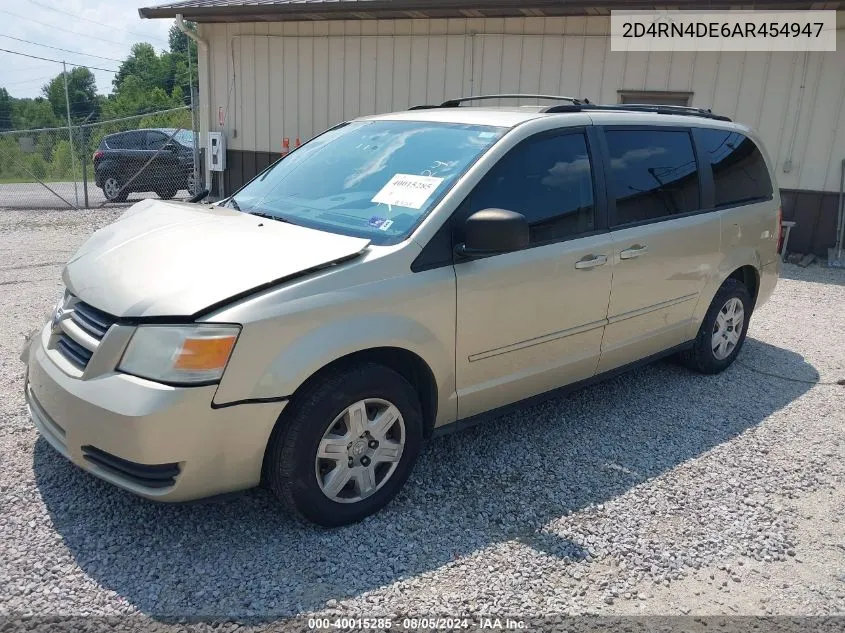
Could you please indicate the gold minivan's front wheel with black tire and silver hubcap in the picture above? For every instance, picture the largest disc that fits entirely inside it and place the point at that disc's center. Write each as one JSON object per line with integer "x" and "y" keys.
{"x": 345, "y": 446}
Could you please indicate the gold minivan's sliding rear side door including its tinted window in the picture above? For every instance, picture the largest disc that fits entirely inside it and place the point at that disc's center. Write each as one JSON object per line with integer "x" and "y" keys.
{"x": 664, "y": 246}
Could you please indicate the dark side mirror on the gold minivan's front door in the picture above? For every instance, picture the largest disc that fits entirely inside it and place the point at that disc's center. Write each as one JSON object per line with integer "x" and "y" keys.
{"x": 493, "y": 231}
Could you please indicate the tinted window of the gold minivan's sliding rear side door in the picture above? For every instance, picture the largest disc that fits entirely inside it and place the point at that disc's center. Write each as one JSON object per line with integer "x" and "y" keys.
{"x": 653, "y": 174}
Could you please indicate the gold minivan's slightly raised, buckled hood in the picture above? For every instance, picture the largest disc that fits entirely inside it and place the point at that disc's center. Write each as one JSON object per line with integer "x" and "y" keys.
{"x": 176, "y": 259}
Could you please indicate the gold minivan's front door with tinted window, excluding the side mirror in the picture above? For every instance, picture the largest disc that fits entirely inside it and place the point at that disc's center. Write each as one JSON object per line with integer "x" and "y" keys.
{"x": 532, "y": 320}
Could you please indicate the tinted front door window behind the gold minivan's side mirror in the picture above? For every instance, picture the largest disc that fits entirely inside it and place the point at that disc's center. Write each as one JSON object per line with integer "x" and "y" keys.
{"x": 547, "y": 179}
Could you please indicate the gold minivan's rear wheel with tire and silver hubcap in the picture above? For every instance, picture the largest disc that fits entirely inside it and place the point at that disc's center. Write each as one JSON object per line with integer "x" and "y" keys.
{"x": 723, "y": 331}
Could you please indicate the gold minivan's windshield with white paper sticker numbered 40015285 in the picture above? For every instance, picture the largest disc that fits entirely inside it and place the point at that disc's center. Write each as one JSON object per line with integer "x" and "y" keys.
{"x": 373, "y": 179}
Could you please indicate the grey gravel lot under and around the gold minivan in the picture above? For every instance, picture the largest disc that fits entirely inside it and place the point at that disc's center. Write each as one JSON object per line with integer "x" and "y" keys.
{"x": 659, "y": 492}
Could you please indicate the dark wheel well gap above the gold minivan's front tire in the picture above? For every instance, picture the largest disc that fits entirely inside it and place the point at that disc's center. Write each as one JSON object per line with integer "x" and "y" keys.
{"x": 410, "y": 366}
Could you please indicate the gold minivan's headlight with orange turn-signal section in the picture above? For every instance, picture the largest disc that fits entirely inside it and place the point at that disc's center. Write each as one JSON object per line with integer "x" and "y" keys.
{"x": 179, "y": 354}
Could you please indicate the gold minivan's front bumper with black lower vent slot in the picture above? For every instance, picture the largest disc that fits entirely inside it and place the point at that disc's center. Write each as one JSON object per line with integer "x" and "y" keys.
{"x": 161, "y": 442}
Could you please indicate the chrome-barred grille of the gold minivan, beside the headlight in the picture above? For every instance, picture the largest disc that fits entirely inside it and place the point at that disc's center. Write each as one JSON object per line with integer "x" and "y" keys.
{"x": 80, "y": 329}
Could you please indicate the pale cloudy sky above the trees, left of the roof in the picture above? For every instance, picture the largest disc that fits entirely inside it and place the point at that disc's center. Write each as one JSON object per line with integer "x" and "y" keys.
{"x": 107, "y": 28}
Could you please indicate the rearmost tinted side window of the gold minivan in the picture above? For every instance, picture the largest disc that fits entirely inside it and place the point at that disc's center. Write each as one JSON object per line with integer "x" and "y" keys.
{"x": 739, "y": 171}
